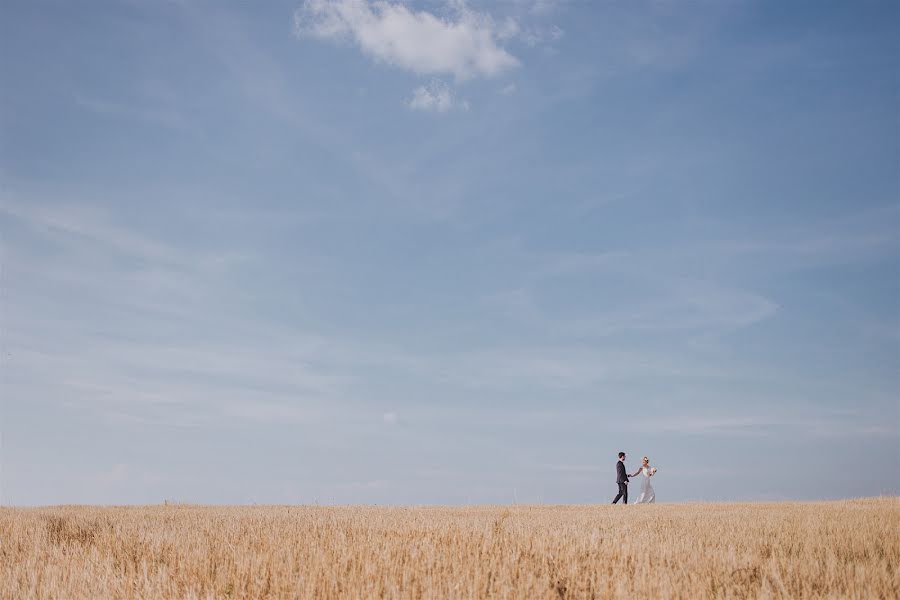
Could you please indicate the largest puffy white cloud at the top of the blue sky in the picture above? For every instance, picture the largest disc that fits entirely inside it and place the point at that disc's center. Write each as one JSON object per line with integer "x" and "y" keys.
{"x": 417, "y": 41}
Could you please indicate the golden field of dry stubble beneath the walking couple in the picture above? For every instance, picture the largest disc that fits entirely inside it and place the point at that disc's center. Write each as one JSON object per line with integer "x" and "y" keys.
{"x": 848, "y": 549}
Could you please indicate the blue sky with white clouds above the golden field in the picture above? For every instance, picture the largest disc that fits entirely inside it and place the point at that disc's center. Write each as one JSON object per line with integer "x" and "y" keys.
{"x": 333, "y": 251}
